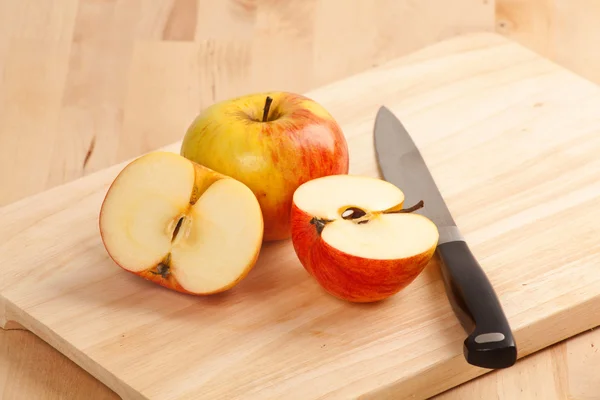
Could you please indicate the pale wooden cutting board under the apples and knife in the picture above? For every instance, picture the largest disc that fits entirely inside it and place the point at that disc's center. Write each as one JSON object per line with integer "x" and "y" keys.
{"x": 513, "y": 142}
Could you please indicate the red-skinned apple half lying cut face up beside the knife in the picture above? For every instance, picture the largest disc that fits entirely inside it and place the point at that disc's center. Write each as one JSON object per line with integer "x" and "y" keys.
{"x": 352, "y": 235}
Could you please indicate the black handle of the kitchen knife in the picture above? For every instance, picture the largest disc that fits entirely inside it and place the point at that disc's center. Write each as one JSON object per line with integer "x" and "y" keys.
{"x": 490, "y": 343}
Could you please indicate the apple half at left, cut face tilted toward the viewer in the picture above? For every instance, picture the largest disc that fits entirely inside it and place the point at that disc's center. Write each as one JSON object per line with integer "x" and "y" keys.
{"x": 181, "y": 225}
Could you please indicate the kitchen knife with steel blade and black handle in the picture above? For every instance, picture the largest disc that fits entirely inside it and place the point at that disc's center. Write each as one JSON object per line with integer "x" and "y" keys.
{"x": 490, "y": 342}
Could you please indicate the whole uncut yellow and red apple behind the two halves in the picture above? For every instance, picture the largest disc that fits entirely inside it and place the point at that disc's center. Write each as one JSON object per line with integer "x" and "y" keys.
{"x": 300, "y": 141}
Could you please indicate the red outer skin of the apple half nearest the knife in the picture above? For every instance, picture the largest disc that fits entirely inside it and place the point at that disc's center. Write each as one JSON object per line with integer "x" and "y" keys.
{"x": 346, "y": 276}
